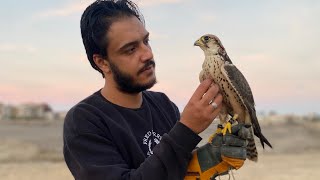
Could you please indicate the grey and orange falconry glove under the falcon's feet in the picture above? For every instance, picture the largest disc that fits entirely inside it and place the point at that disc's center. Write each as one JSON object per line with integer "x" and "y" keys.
{"x": 219, "y": 156}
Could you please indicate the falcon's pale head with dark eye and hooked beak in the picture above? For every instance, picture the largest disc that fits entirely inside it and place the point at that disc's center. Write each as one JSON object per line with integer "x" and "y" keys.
{"x": 210, "y": 44}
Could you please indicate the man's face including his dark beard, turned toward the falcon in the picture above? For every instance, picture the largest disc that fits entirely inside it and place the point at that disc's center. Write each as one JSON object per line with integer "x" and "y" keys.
{"x": 130, "y": 56}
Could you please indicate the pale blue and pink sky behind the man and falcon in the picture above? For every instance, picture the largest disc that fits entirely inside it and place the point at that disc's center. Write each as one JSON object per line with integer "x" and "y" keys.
{"x": 274, "y": 43}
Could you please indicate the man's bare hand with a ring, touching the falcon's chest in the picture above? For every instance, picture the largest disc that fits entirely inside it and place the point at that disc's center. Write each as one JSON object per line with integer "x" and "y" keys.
{"x": 199, "y": 112}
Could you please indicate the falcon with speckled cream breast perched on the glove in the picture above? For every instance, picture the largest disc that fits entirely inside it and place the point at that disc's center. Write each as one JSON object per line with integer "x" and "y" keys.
{"x": 238, "y": 102}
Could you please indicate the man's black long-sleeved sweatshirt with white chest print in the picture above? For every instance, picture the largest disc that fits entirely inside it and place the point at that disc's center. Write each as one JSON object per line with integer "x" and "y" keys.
{"x": 104, "y": 141}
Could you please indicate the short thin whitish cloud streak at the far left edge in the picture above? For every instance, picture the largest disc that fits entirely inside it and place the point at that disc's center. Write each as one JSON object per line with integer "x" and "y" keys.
{"x": 9, "y": 47}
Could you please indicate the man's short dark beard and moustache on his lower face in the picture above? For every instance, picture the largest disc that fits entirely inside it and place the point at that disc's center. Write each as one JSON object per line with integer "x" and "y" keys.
{"x": 126, "y": 82}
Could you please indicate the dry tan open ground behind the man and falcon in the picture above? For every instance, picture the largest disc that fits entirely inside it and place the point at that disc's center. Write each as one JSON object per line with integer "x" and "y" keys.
{"x": 33, "y": 150}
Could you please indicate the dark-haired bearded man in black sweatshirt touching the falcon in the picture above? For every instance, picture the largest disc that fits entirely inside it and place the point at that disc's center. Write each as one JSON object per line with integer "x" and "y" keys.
{"x": 123, "y": 131}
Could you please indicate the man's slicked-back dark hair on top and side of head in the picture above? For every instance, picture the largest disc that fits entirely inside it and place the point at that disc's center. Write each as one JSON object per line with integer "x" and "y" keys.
{"x": 96, "y": 21}
